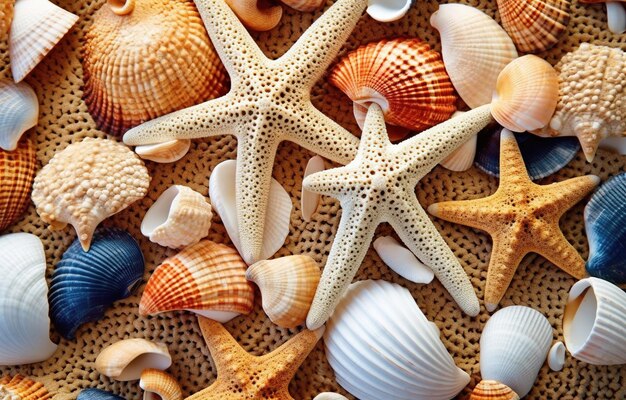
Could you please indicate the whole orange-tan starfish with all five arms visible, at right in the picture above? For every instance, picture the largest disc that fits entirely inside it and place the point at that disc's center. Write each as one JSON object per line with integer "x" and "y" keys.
{"x": 521, "y": 217}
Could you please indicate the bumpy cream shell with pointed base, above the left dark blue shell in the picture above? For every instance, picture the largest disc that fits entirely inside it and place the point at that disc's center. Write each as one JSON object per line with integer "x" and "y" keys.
{"x": 88, "y": 182}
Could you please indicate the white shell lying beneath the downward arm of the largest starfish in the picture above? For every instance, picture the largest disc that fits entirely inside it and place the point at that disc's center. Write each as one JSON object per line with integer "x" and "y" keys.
{"x": 222, "y": 192}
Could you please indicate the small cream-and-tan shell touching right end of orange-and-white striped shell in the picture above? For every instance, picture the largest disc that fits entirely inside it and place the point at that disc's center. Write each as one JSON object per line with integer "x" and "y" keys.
{"x": 287, "y": 287}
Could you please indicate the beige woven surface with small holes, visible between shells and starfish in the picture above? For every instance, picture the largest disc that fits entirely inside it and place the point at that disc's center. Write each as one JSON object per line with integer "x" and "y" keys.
{"x": 539, "y": 284}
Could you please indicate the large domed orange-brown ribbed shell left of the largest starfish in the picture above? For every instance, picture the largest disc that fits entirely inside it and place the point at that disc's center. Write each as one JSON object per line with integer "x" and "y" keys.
{"x": 146, "y": 58}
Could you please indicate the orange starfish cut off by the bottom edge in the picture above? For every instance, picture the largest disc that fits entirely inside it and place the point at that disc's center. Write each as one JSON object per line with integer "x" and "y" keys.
{"x": 240, "y": 375}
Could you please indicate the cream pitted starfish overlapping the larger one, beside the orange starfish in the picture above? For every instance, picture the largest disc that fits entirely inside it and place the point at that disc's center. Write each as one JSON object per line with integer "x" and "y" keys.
{"x": 379, "y": 186}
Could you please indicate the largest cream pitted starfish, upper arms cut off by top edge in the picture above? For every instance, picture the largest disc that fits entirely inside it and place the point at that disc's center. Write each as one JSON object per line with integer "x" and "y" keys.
{"x": 269, "y": 102}
